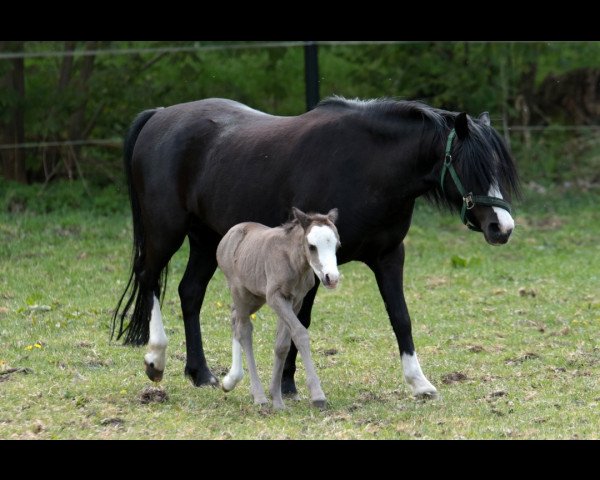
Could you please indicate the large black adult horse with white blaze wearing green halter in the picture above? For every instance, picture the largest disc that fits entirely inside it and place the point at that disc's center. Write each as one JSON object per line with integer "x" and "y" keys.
{"x": 196, "y": 169}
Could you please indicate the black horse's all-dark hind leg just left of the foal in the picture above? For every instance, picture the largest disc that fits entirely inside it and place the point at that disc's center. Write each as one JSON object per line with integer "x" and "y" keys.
{"x": 201, "y": 265}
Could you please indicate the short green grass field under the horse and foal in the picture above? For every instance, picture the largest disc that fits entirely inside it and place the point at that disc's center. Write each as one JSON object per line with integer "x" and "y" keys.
{"x": 508, "y": 335}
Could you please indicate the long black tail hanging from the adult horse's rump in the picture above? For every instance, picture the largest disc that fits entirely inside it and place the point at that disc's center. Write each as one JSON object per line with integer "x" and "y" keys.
{"x": 138, "y": 330}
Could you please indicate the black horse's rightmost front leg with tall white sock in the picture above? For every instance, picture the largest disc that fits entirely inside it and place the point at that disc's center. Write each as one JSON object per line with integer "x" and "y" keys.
{"x": 388, "y": 270}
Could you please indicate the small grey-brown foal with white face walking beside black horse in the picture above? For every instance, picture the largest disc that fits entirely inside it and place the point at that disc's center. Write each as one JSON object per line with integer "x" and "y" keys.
{"x": 275, "y": 266}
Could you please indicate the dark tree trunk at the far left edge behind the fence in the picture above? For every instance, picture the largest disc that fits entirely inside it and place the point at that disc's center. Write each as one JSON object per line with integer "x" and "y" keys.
{"x": 12, "y": 126}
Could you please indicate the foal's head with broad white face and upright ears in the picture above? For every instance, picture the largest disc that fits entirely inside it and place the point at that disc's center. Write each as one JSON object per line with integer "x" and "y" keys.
{"x": 321, "y": 241}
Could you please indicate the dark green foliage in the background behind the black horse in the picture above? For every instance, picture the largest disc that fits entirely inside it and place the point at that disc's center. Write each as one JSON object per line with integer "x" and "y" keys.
{"x": 465, "y": 76}
